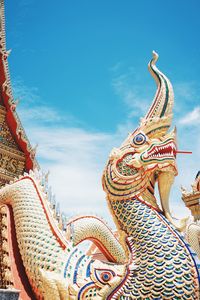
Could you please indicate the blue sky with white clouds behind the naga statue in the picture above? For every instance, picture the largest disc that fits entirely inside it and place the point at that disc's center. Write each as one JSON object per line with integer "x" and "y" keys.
{"x": 79, "y": 69}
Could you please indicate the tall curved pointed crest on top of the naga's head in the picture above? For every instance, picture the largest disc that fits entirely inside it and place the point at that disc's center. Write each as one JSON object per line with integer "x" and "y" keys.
{"x": 159, "y": 114}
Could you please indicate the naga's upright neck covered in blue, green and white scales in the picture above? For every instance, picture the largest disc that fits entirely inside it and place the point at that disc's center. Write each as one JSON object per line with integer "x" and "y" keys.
{"x": 160, "y": 255}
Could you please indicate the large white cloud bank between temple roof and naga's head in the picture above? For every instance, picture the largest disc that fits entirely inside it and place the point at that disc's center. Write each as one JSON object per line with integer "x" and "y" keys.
{"x": 76, "y": 159}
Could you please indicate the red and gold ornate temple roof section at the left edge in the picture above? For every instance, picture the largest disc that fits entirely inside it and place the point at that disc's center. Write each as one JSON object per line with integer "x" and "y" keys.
{"x": 15, "y": 149}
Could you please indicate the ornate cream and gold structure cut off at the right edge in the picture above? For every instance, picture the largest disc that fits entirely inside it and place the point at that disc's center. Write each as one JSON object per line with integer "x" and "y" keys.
{"x": 192, "y": 201}
